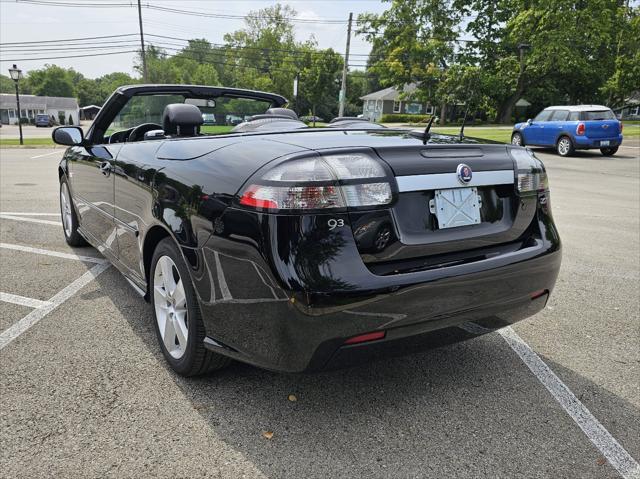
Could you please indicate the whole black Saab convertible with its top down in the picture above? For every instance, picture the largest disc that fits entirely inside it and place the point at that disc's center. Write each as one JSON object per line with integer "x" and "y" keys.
{"x": 294, "y": 248}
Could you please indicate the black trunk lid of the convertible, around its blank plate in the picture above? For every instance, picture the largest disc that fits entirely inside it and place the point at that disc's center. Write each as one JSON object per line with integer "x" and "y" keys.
{"x": 409, "y": 235}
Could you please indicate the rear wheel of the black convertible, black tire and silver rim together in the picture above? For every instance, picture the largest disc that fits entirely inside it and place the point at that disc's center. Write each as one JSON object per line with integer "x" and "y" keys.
{"x": 177, "y": 314}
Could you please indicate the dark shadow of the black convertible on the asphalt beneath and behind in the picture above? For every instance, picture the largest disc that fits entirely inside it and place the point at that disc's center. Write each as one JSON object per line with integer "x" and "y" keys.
{"x": 470, "y": 409}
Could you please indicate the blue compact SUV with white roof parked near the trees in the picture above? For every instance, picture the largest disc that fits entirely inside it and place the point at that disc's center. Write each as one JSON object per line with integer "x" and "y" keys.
{"x": 570, "y": 128}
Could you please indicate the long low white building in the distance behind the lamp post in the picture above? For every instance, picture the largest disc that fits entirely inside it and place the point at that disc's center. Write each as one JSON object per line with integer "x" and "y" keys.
{"x": 30, "y": 105}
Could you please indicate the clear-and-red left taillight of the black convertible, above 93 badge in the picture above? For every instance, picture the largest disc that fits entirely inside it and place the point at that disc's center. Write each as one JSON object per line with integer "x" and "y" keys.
{"x": 332, "y": 181}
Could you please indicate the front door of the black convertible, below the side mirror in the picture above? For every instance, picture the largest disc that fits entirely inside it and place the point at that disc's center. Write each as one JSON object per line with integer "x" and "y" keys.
{"x": 91, "y": 178}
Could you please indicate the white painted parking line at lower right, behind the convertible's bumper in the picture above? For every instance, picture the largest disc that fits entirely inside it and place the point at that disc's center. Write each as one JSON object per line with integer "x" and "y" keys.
{"x": 617, "y": 456}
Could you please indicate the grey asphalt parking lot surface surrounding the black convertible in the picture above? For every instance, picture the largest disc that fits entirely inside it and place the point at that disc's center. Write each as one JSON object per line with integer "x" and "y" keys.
{"x": 85, "y": 391}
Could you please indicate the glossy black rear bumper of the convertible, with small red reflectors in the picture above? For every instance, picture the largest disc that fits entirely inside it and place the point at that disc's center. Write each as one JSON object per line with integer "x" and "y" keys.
{"x": 268, "y": 306}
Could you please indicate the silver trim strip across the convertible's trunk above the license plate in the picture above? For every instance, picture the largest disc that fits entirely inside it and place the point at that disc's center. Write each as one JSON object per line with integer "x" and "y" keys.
{"x": 442, "y": 181}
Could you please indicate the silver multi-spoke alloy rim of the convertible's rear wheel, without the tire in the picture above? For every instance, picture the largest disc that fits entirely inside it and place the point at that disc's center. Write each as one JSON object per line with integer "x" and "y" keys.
{"x": 170, "y": 304}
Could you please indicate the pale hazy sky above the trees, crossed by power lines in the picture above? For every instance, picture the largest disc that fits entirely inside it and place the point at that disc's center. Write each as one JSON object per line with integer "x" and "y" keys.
{"x": 20, "y": 22}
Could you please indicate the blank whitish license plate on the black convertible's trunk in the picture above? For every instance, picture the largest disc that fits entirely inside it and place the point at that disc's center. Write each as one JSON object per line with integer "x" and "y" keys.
{"x": 456, "y": 207}
